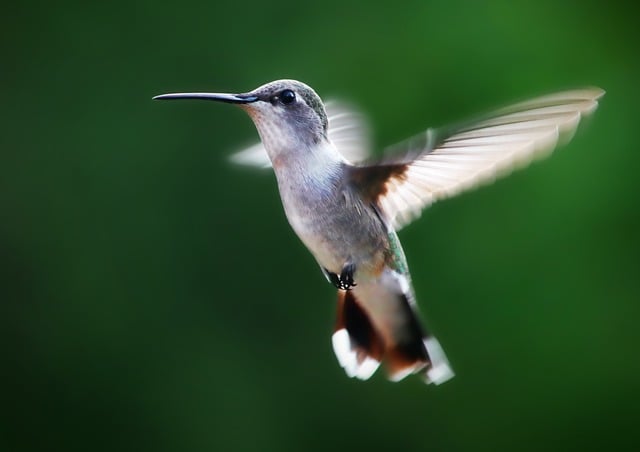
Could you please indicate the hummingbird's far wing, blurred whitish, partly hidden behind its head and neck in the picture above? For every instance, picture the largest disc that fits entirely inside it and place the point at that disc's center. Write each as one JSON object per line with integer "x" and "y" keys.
{"x": 347, "y": 130}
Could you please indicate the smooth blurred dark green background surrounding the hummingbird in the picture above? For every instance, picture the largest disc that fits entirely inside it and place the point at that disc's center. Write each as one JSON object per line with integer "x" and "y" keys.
{"x": 143, "y": 304}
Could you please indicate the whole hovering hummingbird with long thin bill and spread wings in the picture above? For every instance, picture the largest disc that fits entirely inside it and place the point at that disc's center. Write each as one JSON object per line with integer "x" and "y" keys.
{"x": 347, "y": 207}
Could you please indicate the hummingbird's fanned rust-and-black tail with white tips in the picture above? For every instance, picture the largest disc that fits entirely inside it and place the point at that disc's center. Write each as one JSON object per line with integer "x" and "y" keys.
{"x": 377, "y": 323}
